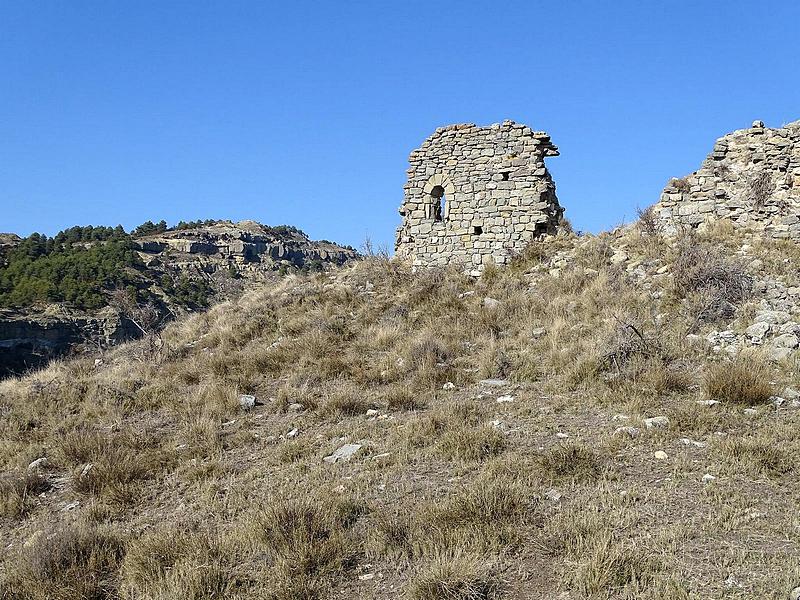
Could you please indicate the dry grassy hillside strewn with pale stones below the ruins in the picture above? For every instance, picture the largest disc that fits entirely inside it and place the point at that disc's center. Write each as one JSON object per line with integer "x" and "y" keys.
{"x": 558, "y": 429}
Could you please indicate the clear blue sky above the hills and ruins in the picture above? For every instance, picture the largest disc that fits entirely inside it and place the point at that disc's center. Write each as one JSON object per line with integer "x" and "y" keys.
{"x": 304, "y": 112}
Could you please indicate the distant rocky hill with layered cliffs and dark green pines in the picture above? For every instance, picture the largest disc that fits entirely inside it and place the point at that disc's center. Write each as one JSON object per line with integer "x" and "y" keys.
{"x": 58, "y": 294}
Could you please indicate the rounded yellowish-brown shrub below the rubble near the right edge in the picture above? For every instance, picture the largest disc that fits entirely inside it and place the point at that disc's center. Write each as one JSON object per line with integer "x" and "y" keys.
{"x": 744, "y": 380}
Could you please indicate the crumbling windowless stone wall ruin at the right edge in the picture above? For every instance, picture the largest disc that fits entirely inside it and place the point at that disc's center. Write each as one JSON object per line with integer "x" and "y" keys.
{"x": 752, "y": 177}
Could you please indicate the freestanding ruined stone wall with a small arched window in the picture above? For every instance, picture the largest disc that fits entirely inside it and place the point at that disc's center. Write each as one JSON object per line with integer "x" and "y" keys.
{"x": 477, "y": 195}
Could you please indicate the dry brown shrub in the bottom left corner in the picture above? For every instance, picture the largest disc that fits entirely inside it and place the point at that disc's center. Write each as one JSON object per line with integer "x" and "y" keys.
{"x": 75, "y": 563}
